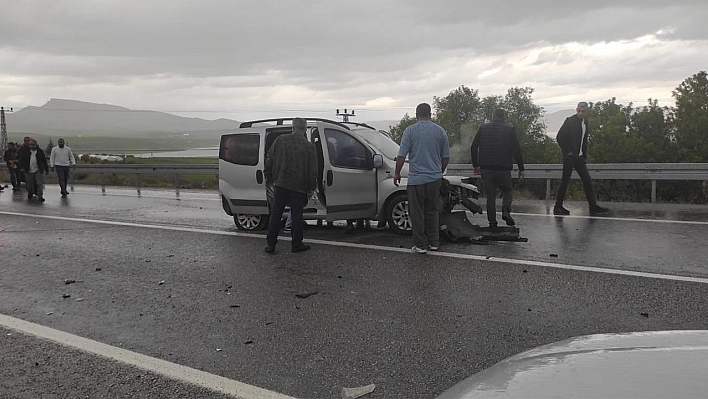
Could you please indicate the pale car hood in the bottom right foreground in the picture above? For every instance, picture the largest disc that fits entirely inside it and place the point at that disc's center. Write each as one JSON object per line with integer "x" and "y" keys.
{"x": 651, "y": 364}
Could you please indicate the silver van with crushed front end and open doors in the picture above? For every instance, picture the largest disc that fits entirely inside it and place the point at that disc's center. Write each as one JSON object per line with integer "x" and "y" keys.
{"x": 356, "y": 168}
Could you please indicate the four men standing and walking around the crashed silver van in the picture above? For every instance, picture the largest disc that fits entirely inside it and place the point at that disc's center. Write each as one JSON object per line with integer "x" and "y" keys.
{"x": 291, "y": 168}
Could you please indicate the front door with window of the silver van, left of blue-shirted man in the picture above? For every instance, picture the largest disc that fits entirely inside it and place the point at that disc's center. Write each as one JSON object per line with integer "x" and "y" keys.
{"x": 349, "y": 174}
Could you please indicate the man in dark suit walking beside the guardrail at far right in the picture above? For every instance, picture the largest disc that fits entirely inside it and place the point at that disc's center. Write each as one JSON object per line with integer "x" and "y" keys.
{"x": 573, "y": 141}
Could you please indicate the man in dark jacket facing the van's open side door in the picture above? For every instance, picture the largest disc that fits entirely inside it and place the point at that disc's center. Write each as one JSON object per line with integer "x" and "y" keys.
{"x": 291, "y": 167}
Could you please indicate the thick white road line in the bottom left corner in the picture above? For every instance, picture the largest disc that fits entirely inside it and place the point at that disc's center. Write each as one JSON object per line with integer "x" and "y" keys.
{"x": 162, "y": 367}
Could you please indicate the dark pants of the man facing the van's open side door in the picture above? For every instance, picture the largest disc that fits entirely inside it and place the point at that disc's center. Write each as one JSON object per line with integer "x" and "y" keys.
{"x": 297, "y": 201}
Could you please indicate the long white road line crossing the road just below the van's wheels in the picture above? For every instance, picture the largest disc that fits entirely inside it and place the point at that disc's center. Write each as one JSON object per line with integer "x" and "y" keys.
{"x": 384, "y": 248}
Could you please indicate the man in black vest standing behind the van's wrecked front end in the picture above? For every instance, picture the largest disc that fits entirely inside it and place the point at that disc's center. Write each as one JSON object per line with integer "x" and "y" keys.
{"x": 494, "y": 148}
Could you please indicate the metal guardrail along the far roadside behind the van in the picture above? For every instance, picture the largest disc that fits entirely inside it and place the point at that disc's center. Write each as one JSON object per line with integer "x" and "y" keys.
{"x": 621, "y": 171}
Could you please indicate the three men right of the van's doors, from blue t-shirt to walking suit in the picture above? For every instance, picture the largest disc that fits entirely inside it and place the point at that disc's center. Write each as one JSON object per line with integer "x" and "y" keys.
{"x": 494, "y": 150}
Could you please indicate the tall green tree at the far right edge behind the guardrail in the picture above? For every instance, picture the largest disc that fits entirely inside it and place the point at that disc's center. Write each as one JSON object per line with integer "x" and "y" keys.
{"x": 690, "y": 118}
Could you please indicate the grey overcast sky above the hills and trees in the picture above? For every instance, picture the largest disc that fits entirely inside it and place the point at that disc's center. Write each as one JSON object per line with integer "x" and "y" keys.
{"x": 259, "y": 59}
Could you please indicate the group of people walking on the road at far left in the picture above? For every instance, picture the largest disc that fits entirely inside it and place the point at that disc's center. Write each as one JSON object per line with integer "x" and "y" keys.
{"x": 29, "y": 161}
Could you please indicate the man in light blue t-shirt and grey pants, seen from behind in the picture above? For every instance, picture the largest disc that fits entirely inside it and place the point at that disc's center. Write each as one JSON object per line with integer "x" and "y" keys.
{"x": 426, "y": 145}
